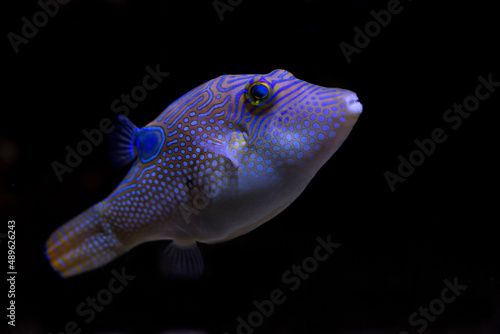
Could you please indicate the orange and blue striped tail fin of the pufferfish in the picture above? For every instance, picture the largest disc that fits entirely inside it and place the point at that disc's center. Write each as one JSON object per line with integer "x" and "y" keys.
{"x": 84, "y": 243}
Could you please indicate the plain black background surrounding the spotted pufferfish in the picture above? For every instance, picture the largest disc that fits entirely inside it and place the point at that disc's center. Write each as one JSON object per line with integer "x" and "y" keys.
{"x": 397, "y": 247}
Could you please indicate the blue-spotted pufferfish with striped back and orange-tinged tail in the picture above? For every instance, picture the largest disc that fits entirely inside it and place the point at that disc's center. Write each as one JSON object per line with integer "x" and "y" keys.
{"x": 217, "y": 163}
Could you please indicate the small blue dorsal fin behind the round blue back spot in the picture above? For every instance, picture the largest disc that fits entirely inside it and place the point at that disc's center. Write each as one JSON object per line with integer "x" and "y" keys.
{"x": 122, "y": 142}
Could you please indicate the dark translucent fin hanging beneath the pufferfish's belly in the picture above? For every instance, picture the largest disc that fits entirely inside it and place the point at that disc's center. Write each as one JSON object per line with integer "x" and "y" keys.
{"x": 182, "y": 261}
